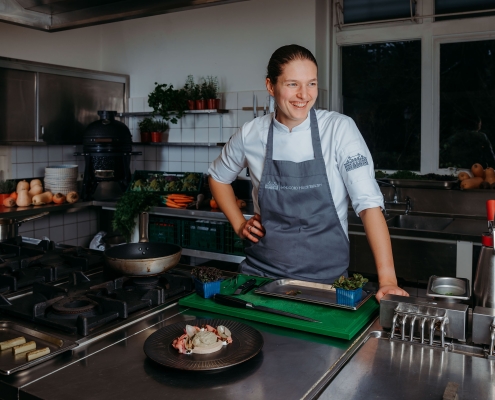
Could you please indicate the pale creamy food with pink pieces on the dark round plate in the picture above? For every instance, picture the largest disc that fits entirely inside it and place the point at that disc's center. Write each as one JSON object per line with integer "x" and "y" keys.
{"x": 202, "y": 340}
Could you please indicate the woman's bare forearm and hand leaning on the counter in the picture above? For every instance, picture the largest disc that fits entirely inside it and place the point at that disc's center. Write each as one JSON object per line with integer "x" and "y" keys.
{"x": 379, "y": 239}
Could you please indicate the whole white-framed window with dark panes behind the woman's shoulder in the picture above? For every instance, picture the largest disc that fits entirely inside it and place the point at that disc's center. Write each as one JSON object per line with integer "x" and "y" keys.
{"x": 410, "y": 84}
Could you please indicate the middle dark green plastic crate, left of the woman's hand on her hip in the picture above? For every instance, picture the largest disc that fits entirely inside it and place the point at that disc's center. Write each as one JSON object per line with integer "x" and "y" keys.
{"x": 203, "y": 235}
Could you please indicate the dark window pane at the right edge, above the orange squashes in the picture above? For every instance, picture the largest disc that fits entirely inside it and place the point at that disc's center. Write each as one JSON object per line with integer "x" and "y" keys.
{"x": 467, "y": 104}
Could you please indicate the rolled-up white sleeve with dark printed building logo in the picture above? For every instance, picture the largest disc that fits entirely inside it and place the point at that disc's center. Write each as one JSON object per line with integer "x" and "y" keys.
{"x": 356, "y": 168}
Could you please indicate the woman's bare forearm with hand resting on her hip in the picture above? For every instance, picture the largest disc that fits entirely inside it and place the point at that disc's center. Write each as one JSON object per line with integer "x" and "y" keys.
{"x": 225, "y": 198}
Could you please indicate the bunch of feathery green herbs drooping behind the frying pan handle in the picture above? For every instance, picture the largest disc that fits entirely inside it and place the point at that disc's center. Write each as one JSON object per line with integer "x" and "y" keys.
{"x": 128, "y": 208}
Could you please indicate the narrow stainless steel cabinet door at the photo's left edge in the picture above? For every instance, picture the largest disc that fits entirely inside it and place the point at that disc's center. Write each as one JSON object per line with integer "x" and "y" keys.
{"x": 17, "y": 105}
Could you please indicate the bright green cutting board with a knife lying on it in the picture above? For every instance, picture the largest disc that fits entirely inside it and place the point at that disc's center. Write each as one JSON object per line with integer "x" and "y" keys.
{"x": 335, "y": 322}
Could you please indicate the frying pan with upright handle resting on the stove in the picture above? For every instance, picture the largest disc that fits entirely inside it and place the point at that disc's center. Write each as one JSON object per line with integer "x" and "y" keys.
{"x": 143, "y": 258}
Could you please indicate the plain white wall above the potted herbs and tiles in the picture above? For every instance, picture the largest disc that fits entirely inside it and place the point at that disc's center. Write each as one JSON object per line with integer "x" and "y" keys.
{"x": 233, "y": 42}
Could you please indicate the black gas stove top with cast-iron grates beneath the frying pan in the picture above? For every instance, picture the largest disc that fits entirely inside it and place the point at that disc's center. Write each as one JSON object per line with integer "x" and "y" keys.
{"x": 68, "y": 293}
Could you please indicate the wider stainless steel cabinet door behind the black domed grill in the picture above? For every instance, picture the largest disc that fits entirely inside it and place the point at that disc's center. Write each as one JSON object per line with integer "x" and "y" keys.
{"x": 67, "y": 104}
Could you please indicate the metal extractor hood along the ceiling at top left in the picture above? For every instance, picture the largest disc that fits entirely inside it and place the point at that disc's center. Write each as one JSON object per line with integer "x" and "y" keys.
{"x": 59, "y": 15}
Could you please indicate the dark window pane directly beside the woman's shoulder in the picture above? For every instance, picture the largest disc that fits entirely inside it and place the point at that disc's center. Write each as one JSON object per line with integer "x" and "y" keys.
{"x": 381, "y": 90}
